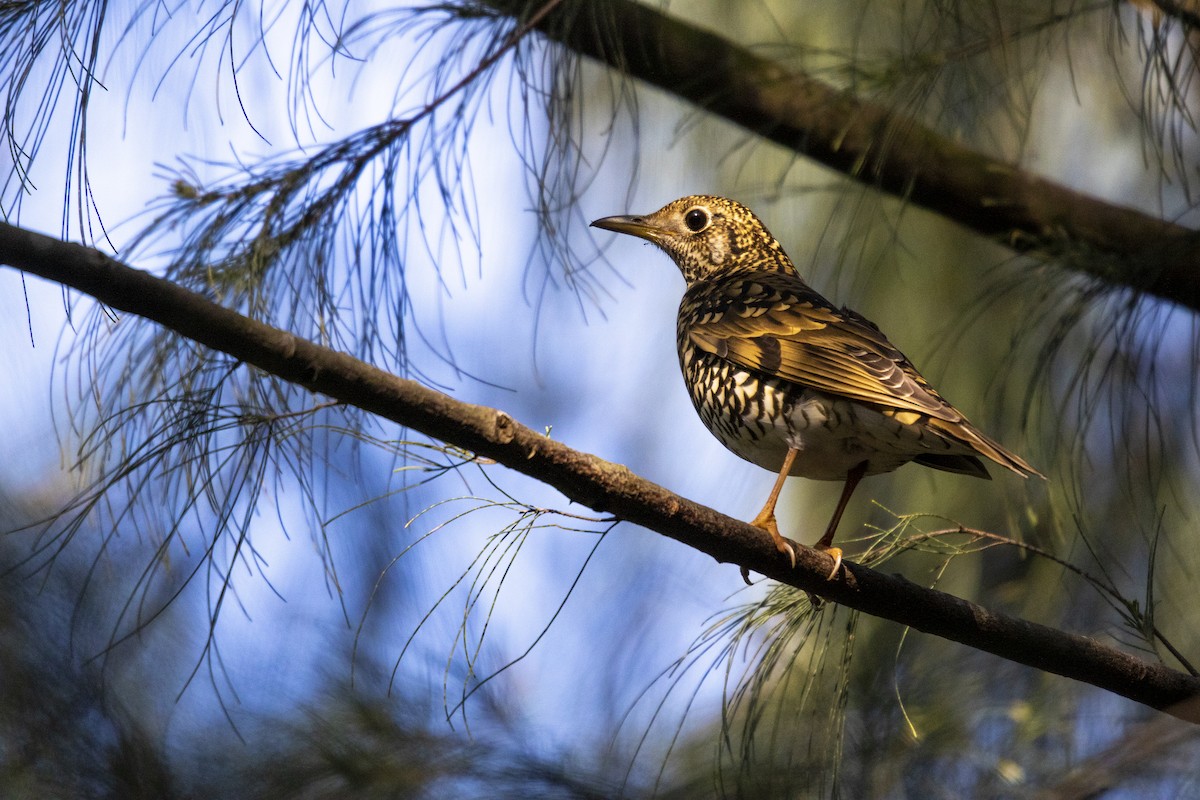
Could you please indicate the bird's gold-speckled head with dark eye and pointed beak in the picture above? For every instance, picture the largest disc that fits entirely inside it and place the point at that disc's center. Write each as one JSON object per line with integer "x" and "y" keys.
{"x": 707, "y": 237}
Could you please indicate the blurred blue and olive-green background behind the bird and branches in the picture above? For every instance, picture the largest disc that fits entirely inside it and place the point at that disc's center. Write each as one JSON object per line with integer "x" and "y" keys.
{"x": 219, "y": 587}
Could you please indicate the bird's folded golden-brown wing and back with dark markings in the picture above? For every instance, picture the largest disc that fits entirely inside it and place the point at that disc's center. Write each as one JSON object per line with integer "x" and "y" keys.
{"x": 777, "y": 326}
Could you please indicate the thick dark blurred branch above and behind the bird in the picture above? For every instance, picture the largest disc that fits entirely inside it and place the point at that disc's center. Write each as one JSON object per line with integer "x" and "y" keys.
{"x": 895, "y": 153}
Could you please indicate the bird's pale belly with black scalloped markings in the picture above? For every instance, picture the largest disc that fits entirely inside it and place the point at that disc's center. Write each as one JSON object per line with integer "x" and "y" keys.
{"x": 761, "y": 420}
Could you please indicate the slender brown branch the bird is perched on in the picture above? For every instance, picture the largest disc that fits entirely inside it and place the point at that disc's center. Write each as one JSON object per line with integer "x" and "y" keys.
{"x": 589, "y": 480}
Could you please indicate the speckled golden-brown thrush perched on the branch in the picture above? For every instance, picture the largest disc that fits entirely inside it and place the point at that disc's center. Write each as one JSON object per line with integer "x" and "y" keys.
{"x": 788, "y": 381}
